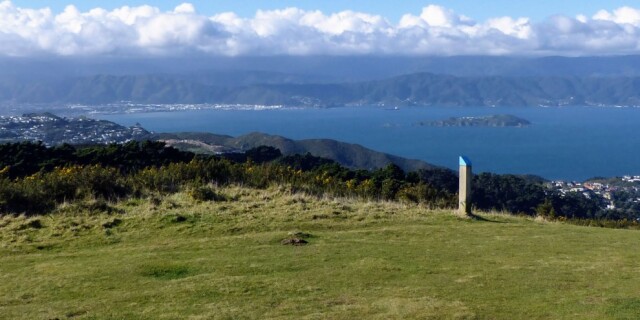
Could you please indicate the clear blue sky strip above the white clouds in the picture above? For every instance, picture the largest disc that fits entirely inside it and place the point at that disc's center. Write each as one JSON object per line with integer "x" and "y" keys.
{"x": 392, "y": 9}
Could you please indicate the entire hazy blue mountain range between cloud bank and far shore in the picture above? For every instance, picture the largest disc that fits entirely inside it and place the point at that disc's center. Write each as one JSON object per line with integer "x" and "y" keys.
{"x": 327, "y": 81}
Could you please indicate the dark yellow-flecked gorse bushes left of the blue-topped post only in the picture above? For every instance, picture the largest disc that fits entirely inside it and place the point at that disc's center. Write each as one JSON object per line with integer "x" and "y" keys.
{"x": 136, "y": 170}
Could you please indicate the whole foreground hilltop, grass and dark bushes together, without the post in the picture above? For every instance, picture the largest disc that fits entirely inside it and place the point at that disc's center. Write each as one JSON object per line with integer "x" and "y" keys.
{"x": 145, "y": 231}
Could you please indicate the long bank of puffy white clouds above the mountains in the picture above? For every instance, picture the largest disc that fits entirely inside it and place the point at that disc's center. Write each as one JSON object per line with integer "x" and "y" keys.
{"x": 436, "y": 30}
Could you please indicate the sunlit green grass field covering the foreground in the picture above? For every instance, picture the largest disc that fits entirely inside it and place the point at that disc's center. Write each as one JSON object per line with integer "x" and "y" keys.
{"x": 178, "y": 259}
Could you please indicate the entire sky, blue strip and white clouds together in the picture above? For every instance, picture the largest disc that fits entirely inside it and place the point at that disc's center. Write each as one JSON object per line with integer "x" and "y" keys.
{"x": 329, "y": 27}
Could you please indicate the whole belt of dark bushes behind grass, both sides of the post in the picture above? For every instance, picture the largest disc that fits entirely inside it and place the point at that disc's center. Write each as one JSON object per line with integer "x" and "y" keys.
{"x": 35, "y": 179}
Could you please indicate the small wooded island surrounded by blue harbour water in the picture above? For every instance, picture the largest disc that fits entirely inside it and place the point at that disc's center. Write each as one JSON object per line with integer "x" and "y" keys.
{"x": 500, "y": 120}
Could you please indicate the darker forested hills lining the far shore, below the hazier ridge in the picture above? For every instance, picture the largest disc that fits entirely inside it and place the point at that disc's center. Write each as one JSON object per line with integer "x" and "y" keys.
{"x": 421, "y": 89}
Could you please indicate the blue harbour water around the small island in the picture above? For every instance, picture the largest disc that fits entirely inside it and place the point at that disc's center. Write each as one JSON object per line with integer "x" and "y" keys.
{"x": 569, "y": 143}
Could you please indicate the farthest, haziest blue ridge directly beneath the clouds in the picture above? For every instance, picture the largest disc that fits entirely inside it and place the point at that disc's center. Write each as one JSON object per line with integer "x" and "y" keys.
{"x": 243, "y": 69}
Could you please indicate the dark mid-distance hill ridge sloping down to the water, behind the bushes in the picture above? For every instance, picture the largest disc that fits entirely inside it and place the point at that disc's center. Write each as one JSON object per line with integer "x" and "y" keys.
{"x": 347, "y": 154}
